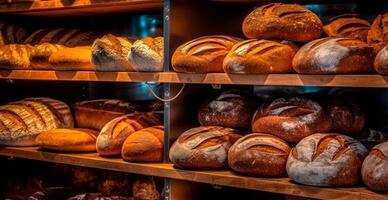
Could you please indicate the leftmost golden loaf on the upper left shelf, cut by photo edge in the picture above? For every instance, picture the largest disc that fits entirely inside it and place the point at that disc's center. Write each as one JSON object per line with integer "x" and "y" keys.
{"x": 15, "y": 56}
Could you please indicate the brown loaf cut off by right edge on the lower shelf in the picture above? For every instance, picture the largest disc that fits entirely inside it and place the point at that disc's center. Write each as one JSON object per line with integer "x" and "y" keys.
{"x": 375, "y": 168}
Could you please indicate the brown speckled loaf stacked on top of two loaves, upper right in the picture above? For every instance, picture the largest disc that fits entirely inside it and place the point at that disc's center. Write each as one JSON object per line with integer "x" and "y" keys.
{"x": 282, "y": 21}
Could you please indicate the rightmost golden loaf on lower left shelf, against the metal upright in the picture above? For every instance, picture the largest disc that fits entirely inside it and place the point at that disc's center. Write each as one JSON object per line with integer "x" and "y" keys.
{"x": 145, "y": 145}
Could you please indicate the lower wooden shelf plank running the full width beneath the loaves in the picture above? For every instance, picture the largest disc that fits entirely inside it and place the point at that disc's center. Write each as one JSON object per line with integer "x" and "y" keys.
{"x": 219, "y": 177}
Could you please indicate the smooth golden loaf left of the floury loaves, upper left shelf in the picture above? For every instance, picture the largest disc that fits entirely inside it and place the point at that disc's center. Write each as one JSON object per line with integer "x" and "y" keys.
{"x": 77, "y": 58}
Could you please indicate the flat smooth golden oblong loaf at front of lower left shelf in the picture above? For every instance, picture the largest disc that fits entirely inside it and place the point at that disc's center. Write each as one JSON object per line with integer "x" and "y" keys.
{"x": 77, "y": 139}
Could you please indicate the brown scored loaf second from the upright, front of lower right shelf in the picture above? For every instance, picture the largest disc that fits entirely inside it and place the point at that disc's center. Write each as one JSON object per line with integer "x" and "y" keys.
{"x": 259, "y": 154}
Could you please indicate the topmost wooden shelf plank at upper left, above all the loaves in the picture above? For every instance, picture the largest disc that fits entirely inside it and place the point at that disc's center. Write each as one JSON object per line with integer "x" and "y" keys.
{"x": 79, "y": 7}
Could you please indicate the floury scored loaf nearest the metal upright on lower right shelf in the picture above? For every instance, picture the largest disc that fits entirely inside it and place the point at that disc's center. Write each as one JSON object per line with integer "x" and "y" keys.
{"x": 204, "y": 147}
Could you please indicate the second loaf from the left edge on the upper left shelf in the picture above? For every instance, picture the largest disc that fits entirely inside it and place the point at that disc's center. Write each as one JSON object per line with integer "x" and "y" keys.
{"x": 40, "y": 54}
